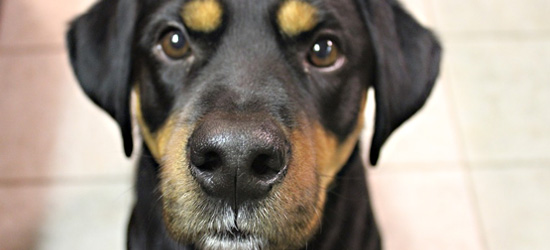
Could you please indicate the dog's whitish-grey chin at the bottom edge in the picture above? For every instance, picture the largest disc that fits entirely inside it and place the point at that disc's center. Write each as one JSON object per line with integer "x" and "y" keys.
{"x": 231, "y": 240}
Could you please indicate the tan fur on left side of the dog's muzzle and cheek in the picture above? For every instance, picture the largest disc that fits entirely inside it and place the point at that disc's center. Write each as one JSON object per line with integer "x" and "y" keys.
{"x": 178, "y": 188}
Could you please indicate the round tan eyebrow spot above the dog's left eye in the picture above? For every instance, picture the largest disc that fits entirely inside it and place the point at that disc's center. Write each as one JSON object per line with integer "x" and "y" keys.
{"x": 202, "y": 15}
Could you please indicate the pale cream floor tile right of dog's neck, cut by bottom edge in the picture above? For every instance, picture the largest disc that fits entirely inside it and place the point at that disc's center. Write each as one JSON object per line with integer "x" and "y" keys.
{"x": 424, "y": 210}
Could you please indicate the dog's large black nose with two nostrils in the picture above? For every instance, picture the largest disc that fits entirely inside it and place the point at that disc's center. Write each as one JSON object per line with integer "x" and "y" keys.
{"x": 238, "y": 160}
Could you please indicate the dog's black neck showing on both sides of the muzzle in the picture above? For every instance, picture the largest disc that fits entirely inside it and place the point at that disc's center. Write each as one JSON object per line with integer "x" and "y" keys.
{"x": 348, "y": 221}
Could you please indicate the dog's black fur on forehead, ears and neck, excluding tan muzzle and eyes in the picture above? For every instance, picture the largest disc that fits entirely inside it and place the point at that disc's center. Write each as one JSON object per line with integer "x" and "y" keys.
{"x": 111, "y": 49}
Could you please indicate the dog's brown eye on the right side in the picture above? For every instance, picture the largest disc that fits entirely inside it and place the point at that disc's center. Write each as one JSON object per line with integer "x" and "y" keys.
{"x": 324, "y": 53}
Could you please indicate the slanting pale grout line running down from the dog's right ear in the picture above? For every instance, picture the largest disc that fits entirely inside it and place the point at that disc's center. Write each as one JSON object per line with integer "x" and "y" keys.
{"x": 463, "y": 161}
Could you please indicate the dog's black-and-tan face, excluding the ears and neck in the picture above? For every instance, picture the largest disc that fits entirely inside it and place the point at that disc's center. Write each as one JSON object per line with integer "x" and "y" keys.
{"x": 250, "y": 109}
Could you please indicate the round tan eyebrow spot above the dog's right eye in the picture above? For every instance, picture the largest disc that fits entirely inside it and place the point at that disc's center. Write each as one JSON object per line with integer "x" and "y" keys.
{"x": 296, "y": 16}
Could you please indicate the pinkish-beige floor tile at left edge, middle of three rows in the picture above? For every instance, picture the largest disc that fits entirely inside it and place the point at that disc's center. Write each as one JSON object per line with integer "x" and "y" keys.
{"x": 29, "y": 101}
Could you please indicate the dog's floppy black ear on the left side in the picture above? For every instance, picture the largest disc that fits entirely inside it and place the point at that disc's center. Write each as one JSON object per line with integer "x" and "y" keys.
{"x": 100, "y": 43}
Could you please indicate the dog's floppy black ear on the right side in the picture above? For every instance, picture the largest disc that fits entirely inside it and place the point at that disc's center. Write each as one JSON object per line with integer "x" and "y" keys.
{"x": 407, "y": 64}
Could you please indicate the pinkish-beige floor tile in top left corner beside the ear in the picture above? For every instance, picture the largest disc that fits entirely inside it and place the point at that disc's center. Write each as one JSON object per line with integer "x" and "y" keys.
{"x": 37, "y": 22}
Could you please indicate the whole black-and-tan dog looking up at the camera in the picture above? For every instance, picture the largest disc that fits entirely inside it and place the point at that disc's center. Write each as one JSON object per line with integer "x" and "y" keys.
{"x": 251, "y": 113}
